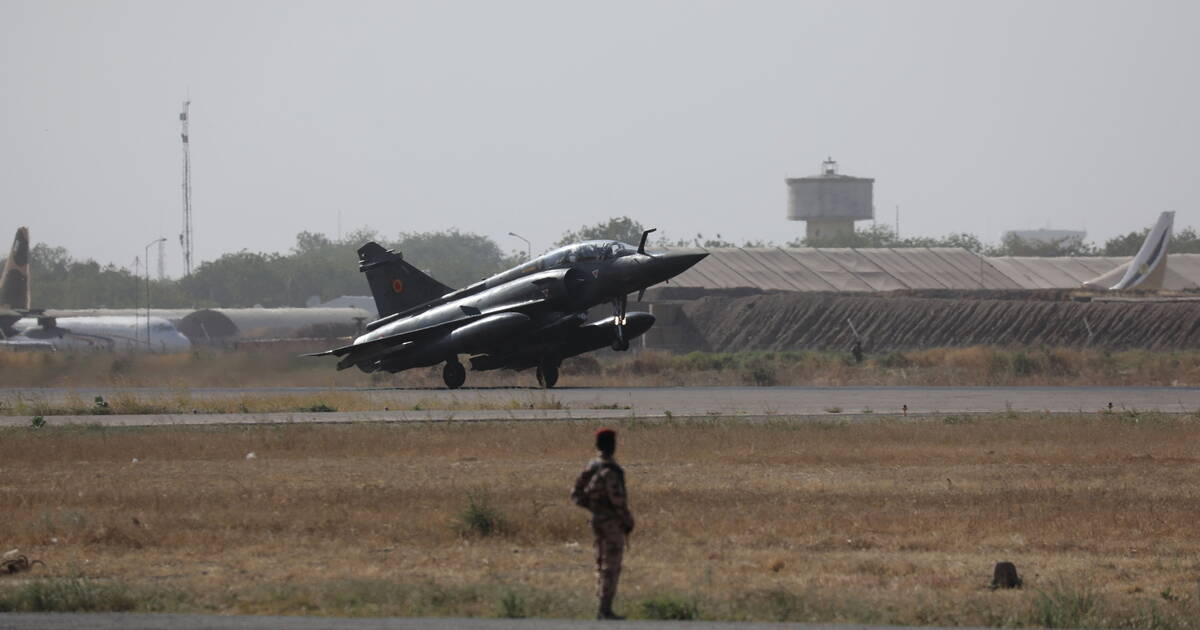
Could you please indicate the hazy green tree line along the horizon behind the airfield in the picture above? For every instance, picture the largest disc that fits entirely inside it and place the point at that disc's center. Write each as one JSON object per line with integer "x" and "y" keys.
{"x": 319, "y": 266}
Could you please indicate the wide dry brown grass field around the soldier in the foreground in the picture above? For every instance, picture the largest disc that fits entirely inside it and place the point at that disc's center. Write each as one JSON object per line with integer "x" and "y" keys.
{"x": 873, "y": 521}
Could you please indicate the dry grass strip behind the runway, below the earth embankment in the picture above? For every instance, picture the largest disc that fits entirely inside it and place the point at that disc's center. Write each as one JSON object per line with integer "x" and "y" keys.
{"x": 933, "y": 367}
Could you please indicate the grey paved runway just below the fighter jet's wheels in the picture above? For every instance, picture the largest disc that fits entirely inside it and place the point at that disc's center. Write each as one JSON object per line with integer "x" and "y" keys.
{"x": 623, "y": 404}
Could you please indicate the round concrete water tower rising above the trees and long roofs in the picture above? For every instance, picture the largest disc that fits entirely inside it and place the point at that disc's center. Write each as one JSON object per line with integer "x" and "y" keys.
{"x": 830, "y": 202}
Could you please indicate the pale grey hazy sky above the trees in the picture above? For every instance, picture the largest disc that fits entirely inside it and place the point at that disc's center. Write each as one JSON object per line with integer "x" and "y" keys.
{"x": 539, "y": 117}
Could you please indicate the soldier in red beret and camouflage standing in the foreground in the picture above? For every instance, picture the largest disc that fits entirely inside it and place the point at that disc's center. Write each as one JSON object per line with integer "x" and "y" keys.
{"x": 601, "y": 489}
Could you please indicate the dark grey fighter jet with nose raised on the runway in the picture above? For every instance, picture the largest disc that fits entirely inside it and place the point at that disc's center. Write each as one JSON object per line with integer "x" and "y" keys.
{"x": 531, "y": 316}
